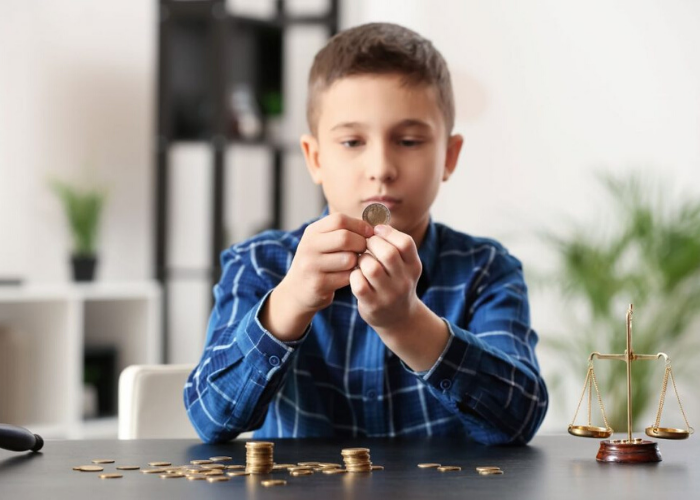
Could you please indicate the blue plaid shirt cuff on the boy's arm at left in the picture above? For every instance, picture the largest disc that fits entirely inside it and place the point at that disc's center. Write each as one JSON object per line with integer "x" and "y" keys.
{"x": 261, "y": 348}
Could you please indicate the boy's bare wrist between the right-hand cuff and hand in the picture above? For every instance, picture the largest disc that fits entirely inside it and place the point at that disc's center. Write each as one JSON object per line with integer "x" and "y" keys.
{"x": 419, "y": 340}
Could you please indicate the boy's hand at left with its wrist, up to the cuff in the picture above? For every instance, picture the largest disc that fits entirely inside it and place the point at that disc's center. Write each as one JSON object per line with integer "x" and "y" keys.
{"x": 325, "y": 257}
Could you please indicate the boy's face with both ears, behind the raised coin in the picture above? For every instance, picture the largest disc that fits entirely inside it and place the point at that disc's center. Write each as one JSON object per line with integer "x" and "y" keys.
{"x": 380, "y": 140}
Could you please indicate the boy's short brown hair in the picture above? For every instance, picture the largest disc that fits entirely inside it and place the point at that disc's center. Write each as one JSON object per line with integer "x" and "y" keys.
{"x": 380, "y": 48}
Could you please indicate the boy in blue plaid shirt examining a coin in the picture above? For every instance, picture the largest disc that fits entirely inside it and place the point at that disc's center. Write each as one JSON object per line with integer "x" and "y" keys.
{"x": 342, "y": 329}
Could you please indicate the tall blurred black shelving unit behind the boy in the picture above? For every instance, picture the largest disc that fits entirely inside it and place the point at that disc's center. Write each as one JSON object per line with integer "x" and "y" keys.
{"x": 203, "y": 51}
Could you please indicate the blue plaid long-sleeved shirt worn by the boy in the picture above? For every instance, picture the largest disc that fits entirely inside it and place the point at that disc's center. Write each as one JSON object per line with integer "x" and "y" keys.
{"x": 340, "y": 380}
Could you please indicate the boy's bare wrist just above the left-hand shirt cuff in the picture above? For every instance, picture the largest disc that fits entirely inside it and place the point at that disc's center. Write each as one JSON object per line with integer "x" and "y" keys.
{"x": 282, "y": 318}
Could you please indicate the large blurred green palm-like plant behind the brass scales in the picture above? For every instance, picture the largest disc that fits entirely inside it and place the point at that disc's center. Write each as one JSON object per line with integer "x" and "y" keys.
{"x": 650, "y": 256}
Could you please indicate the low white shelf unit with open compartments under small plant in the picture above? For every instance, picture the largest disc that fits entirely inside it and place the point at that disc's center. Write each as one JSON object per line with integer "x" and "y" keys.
{"x": 44, "y": 331}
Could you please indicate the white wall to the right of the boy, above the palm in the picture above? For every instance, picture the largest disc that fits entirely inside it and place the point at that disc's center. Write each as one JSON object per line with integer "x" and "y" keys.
{"x": 548, "y": 92}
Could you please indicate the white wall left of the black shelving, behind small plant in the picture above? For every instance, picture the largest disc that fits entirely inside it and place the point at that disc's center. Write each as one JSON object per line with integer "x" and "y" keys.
{"x": 76, "y": 100}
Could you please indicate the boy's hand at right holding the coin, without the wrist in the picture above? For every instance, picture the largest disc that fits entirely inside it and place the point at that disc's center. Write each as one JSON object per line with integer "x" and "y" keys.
{"x": 386, "y": 278}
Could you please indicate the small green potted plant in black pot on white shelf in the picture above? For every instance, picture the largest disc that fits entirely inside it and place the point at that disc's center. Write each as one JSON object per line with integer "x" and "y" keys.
{"x": 83, "y": 208}
